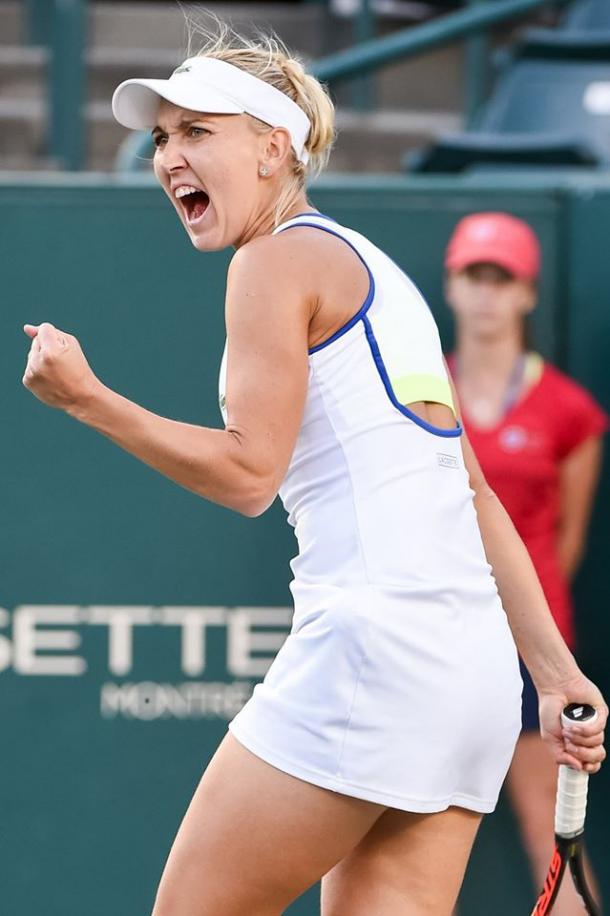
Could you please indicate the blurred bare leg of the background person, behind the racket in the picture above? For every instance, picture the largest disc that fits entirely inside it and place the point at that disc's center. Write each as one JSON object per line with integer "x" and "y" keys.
{"x": 532, "y": 784}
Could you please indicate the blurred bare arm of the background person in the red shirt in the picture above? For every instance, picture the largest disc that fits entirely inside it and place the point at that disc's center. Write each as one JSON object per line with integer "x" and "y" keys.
{"x": 578, "y": 477}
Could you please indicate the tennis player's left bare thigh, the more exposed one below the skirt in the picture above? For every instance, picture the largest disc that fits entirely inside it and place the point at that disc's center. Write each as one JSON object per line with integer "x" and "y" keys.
{"x": 255, "y": 838}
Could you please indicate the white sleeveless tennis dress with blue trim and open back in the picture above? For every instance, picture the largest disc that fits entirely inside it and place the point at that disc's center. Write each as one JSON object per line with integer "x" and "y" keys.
{"x": 399, "y": 681}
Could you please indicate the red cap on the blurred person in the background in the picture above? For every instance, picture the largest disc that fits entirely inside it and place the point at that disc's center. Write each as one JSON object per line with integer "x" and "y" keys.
{"x": 494, "y": 238}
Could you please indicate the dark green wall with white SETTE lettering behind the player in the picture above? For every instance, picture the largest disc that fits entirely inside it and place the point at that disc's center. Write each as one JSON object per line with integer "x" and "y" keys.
{"x": 134, "y": 618}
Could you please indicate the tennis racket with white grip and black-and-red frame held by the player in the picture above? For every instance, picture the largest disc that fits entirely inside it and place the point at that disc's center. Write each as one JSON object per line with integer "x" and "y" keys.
{"x": 570, "y": 810}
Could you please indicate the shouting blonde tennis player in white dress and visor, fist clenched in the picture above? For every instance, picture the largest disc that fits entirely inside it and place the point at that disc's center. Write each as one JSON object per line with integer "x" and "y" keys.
{"x": 386, "y": 724}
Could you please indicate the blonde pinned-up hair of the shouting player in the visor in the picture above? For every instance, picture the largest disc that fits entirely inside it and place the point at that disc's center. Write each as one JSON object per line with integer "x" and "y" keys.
{"x": 266, "y": 57}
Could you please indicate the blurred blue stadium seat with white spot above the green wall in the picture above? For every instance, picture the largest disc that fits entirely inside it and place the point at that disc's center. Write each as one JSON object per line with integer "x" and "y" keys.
{"x": 551, "y": 105}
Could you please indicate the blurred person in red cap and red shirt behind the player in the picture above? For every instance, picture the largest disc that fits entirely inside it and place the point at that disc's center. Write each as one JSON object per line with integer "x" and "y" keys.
{"x": 538, "y": 438}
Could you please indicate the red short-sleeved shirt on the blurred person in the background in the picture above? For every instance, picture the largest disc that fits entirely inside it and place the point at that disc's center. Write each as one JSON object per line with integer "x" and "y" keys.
{"x": 521, "y": 458}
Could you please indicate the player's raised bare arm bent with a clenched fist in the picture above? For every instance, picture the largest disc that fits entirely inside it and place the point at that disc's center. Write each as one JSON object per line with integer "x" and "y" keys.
{"x": 241, "y": 466}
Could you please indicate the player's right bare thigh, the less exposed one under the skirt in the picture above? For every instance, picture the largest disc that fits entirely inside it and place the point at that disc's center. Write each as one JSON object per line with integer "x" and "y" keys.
{"x": 406, "y": 865}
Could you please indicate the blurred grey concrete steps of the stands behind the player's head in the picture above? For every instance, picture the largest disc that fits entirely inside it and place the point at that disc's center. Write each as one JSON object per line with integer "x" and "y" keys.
{"x": 414, "y": 101}
